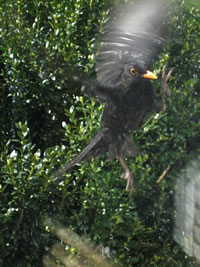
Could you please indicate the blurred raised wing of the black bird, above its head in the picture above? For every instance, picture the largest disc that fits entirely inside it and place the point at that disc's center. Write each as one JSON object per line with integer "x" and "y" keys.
{"x": 137, "y": 35}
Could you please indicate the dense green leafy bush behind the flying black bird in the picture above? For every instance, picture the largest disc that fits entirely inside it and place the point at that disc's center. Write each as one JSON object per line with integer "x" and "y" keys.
{"x": 45, "y": 122}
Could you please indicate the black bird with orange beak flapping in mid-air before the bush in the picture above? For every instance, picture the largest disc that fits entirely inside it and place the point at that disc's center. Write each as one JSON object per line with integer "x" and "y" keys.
{"x": 130, "y": 44}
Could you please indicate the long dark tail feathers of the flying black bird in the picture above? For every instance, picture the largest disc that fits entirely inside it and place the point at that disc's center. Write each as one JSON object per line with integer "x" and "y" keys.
{"x": 95, "y": 148}
